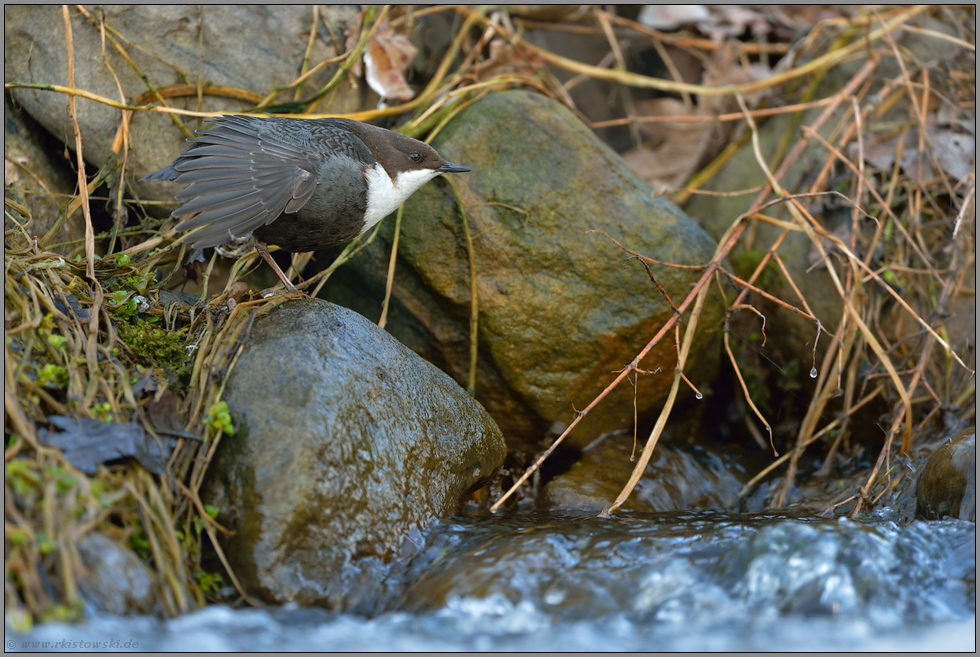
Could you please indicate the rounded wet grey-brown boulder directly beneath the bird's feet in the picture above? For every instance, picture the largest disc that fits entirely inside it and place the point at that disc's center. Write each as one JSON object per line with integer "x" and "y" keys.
{"x": 345, "y": 445}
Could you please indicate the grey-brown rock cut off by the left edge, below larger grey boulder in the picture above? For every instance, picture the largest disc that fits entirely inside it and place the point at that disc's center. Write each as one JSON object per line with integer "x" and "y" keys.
{"x": 35, "y": 177}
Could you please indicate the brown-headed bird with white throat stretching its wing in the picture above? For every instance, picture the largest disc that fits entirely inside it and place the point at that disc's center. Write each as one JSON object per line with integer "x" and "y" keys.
{"x": 301, "y": 184}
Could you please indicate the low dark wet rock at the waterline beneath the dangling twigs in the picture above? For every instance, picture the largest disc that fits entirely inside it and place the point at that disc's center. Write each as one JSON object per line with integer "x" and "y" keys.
{"x": 674, "y": 480}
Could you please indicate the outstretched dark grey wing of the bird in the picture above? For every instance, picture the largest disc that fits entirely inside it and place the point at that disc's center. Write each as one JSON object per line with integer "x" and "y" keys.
{"x": 241, "y": 178}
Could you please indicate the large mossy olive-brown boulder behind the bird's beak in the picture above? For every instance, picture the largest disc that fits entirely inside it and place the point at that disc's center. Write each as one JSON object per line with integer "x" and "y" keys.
{"x": 559, "y": 313}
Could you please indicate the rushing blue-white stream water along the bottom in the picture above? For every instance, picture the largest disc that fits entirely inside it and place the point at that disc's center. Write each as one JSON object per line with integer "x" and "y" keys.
{"x": 692, "y": 582}
